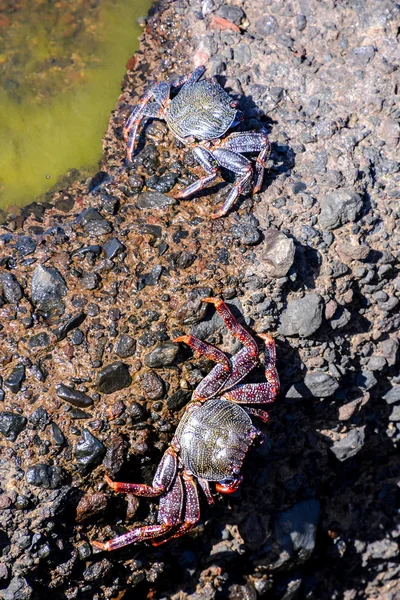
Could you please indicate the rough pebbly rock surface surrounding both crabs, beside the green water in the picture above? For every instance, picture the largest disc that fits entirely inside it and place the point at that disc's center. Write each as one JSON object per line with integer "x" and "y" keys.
{"x": 96, "y": 282}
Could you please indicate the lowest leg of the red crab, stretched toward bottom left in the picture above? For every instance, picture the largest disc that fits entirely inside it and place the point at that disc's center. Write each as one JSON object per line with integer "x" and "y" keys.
{"x": 169, "y": 515}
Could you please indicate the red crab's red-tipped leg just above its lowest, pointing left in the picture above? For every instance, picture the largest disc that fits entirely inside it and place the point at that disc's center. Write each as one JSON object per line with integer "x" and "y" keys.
{"x": 162, "y": 481}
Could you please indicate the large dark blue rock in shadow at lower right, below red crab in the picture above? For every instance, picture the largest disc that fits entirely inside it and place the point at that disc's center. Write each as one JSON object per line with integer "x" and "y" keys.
{"x": 295, "y": 529}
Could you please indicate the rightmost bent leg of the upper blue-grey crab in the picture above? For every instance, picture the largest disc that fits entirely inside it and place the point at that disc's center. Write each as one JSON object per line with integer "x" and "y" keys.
{"x": 251, "y": 141}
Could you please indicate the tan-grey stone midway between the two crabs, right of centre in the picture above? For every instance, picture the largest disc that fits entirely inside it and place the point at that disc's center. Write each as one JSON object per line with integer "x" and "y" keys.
{"x": 277, "y": 254}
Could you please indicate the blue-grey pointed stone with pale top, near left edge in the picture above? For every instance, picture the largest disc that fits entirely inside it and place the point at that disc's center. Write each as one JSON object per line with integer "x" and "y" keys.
{"x": 47, "y": 289}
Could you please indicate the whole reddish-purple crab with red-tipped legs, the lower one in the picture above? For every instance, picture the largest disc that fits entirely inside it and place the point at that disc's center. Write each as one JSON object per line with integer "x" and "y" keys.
{"x": 212, "y": 437}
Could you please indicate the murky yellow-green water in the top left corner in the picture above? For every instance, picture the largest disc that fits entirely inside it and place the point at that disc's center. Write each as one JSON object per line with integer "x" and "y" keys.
{"x": 61, "y": 67}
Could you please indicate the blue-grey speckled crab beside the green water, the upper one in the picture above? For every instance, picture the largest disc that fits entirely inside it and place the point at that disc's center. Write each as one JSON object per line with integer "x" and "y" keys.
{"x": 200, "y": 115}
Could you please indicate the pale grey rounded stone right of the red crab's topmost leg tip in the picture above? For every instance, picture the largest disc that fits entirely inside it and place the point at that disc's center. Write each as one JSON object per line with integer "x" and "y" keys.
{"x": 303, "y": 316}
